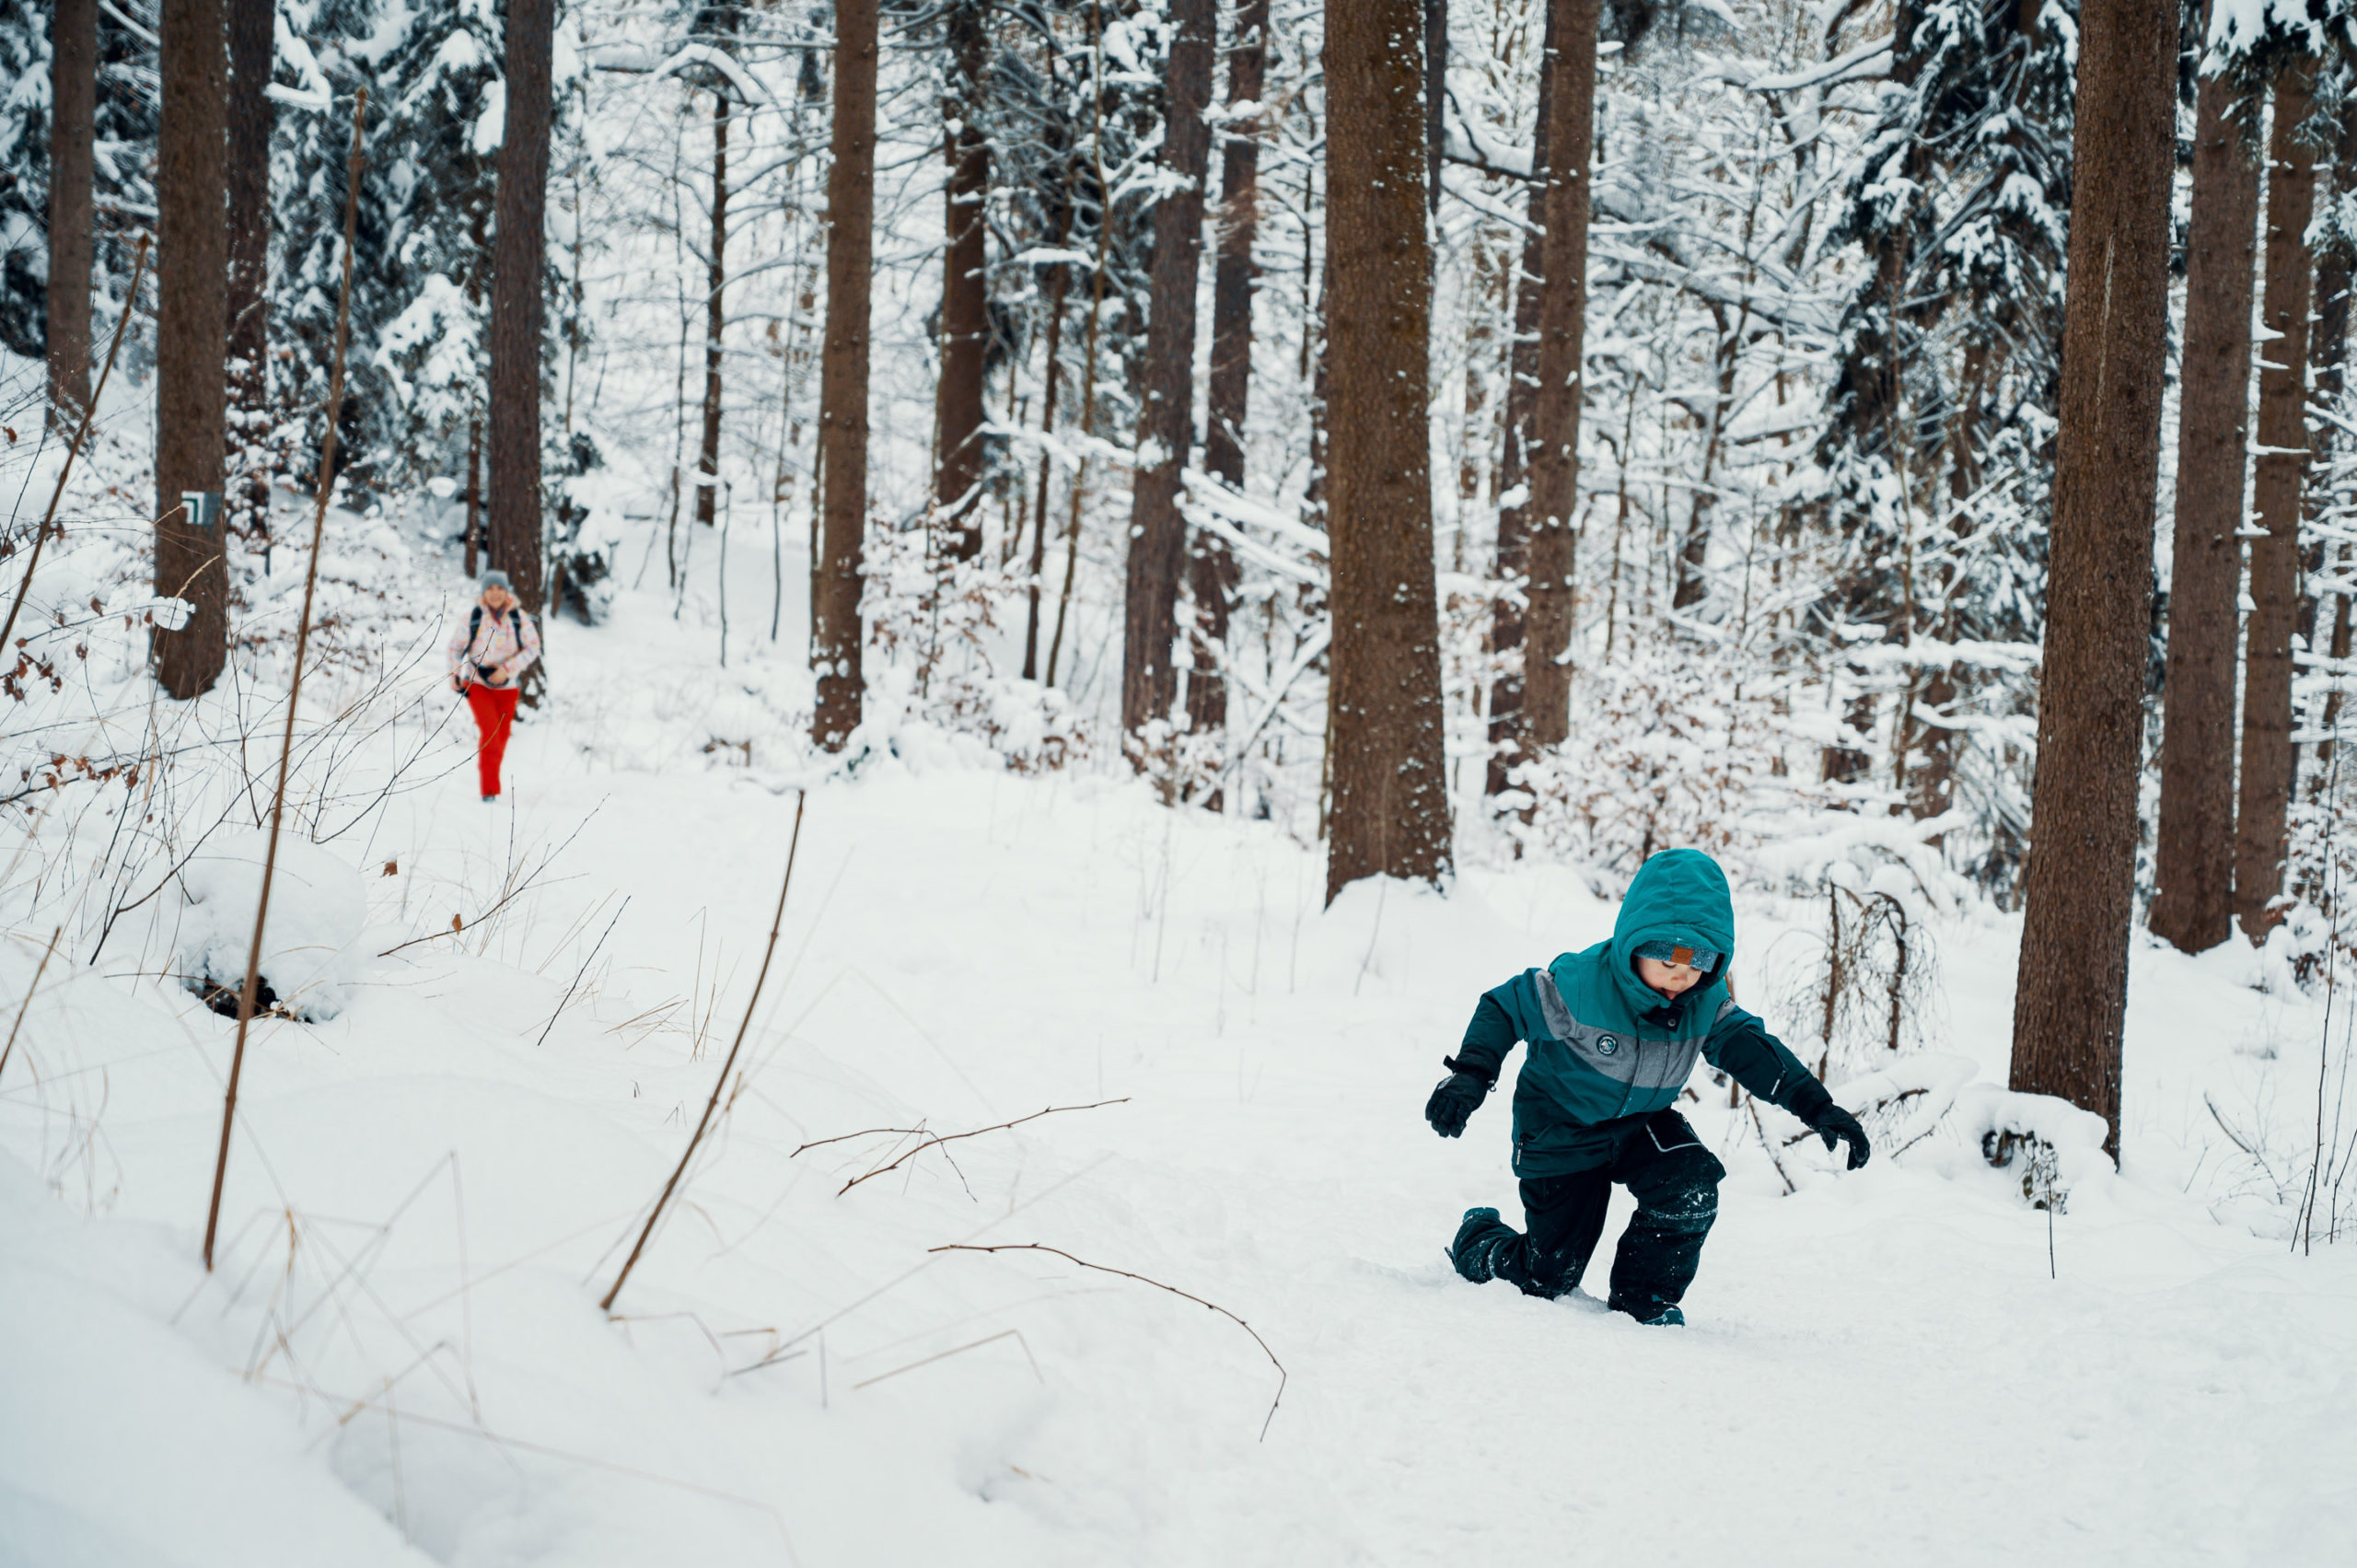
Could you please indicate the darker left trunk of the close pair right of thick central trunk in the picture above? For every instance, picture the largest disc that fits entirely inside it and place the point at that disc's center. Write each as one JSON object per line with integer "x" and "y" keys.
{"x": 1510, "y": 621}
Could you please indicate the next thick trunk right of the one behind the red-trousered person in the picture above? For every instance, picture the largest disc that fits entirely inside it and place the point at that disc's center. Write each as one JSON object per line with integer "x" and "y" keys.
{"x": 843, "y": 378}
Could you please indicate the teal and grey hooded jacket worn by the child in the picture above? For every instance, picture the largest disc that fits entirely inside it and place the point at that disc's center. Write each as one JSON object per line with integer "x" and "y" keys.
{"x": 1606, "y": 1050}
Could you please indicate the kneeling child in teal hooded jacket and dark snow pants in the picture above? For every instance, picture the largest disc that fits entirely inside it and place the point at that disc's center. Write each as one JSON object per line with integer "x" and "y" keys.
{"x": 1613, "y": 1036}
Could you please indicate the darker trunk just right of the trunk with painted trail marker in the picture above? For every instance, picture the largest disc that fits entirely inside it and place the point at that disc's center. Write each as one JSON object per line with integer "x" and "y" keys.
{"x": 251, "y": 119}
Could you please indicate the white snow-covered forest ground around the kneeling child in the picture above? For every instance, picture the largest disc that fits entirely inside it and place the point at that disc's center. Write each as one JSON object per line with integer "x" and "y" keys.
{"x": 402, "y": 1352}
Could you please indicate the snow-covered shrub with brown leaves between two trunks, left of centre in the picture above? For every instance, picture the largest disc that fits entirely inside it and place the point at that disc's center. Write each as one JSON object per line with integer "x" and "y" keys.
{"x": 942, "y": 626}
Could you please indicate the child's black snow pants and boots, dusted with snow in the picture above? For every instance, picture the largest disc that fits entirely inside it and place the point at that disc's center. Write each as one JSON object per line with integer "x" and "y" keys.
{"x": 1675, "y": 1182}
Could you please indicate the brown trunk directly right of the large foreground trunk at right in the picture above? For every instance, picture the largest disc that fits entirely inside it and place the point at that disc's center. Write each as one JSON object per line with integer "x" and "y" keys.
{"x": 2196, "y": 843}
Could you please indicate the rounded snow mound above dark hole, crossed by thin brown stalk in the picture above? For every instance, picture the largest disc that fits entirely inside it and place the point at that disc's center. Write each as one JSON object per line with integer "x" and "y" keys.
{"x": 310, "y": 947}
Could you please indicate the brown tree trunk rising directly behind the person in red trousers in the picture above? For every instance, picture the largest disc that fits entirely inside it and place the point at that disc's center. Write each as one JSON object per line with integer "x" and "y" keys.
{"x": 517, "y": 265}
